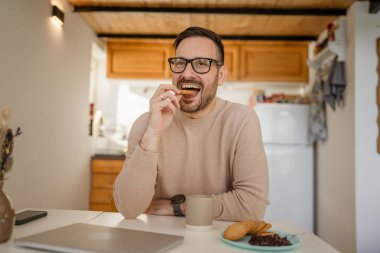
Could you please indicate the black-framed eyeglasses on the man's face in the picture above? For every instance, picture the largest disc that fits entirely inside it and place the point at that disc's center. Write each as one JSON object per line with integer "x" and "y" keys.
{"x": 199, "y": 65}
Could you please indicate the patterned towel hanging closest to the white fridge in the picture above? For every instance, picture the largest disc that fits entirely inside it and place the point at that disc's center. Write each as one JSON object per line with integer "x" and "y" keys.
{"x": 317, "y": 115}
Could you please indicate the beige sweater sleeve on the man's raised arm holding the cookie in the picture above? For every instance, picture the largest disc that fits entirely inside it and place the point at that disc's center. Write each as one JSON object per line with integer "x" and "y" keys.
{"x": 134, "y": 186}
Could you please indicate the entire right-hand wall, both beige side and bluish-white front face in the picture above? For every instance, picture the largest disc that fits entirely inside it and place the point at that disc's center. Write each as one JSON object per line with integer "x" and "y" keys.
{"x": 348, "y": 166}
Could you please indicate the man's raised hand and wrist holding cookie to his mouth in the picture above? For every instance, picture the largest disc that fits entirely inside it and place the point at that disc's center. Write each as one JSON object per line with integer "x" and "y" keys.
{"x": 162, "y": 107}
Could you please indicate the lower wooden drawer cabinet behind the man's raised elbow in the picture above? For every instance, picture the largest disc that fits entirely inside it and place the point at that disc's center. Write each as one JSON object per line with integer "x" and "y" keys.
{"x": 104, "y": 171}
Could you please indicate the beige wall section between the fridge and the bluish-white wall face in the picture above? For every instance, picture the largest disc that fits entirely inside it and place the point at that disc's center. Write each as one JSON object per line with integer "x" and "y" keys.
{"x": 335, "y": 172}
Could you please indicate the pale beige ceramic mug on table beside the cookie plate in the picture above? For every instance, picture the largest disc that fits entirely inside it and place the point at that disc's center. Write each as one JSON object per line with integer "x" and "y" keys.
{"x": 200, "y": 212}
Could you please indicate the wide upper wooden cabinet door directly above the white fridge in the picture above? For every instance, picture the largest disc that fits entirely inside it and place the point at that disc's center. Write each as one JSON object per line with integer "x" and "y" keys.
{"x": 271, "y": 62}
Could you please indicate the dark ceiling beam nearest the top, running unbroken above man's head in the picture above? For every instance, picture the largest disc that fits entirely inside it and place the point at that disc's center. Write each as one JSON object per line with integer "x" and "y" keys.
{"x": 217, "y": 10}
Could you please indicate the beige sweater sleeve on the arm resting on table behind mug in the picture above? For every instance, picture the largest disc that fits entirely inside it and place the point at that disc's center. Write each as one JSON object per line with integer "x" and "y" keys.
{"x": 248, "y": 197}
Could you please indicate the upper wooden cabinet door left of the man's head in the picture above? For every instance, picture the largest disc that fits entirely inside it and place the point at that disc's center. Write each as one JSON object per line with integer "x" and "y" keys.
{"x": 138, "y": 60}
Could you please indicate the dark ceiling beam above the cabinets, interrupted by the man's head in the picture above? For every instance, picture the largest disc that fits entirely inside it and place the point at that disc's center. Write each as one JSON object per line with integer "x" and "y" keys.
{"x": 224, "y": 37}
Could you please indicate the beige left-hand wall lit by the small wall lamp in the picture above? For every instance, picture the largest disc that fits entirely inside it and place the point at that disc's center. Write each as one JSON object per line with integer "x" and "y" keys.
{"x": 44, "y": 79}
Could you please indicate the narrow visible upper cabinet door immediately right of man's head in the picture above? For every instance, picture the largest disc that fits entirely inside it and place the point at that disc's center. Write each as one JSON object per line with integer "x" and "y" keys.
{"x": 231, "y": 60}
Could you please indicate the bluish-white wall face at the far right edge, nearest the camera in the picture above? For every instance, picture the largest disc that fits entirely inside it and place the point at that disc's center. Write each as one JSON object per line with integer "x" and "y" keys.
{"x": 367, "y": 162}
